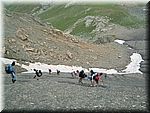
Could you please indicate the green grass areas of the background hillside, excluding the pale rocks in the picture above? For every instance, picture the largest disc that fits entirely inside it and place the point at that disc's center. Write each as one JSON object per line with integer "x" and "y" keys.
{"x": 63, "y": 18}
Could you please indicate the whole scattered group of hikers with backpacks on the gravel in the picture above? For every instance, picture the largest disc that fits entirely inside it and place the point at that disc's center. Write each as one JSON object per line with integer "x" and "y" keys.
{"x": 94, "y": 77}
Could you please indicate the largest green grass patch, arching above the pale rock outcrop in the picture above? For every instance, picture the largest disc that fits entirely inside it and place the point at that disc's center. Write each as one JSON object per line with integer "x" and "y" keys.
{"x": 62, "y": 17}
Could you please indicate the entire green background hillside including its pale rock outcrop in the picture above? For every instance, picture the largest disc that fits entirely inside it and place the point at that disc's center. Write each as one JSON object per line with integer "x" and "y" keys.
{"x": 88, "y": 21}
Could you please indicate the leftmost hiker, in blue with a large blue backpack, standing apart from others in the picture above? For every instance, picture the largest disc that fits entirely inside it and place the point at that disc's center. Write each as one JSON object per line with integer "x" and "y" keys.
{"x": 11, "y": 70}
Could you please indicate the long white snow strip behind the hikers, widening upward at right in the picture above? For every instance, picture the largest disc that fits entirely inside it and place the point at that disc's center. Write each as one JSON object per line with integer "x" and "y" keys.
{"x": 133, "y": 67}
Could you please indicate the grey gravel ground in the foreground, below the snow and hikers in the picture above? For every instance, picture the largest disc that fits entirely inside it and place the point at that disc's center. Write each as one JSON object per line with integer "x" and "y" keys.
{"x": 64, "y": 93}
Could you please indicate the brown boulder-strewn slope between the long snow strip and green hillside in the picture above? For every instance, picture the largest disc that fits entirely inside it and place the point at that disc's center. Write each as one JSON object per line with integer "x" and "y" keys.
{"x": 27, "y": 40}
